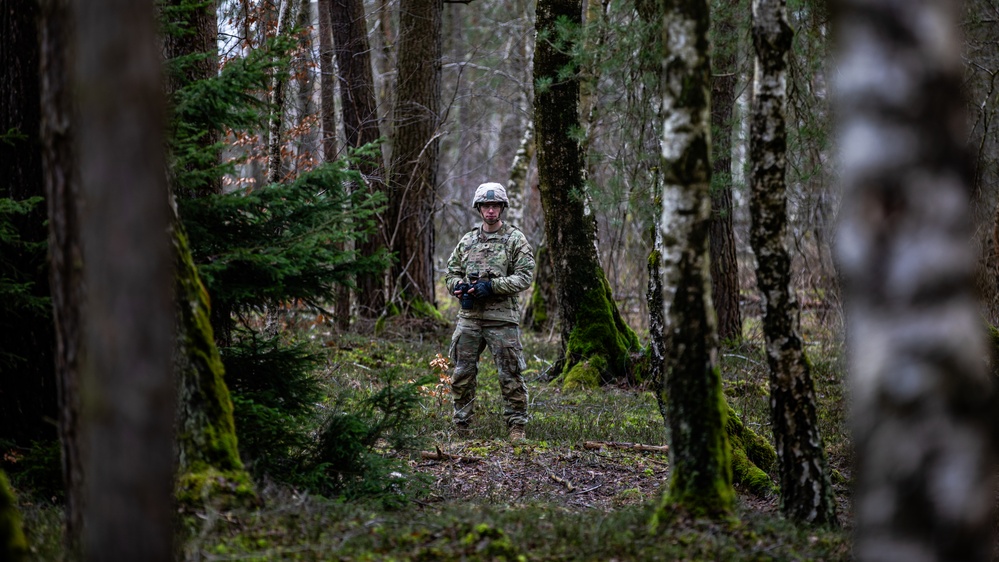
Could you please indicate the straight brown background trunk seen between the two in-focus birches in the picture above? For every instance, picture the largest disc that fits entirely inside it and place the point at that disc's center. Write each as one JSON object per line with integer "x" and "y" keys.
{"x": 724, "y": 265}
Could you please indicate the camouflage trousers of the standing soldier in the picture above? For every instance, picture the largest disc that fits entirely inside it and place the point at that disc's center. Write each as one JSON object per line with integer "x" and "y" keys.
{"x": 470, "y": 338}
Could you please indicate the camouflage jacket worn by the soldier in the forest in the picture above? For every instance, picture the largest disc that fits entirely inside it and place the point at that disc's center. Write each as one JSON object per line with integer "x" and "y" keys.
{"x": 504, "y": 257}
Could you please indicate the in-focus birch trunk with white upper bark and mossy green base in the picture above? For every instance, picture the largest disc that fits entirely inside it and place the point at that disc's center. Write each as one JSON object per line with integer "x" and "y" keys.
{"x": 700, "y": 465}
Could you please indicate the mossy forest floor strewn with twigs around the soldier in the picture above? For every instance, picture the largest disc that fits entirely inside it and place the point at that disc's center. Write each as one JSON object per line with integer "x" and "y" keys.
{"x": 573, "y": 490}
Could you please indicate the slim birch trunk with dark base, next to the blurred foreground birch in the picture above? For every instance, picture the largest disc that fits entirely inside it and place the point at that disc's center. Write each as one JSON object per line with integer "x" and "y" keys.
{"x": 806, "y": 489}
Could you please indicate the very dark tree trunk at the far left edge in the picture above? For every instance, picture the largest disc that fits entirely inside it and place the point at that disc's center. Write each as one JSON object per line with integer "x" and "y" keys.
{"x": 29, "y": 395}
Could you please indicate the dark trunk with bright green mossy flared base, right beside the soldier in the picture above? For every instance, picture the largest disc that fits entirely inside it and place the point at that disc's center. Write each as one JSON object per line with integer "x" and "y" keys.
{"x": 595, "y": 340}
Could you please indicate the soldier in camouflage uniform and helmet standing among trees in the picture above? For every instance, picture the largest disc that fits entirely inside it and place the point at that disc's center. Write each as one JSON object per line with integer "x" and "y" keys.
{"x": 486, "y": 270}
